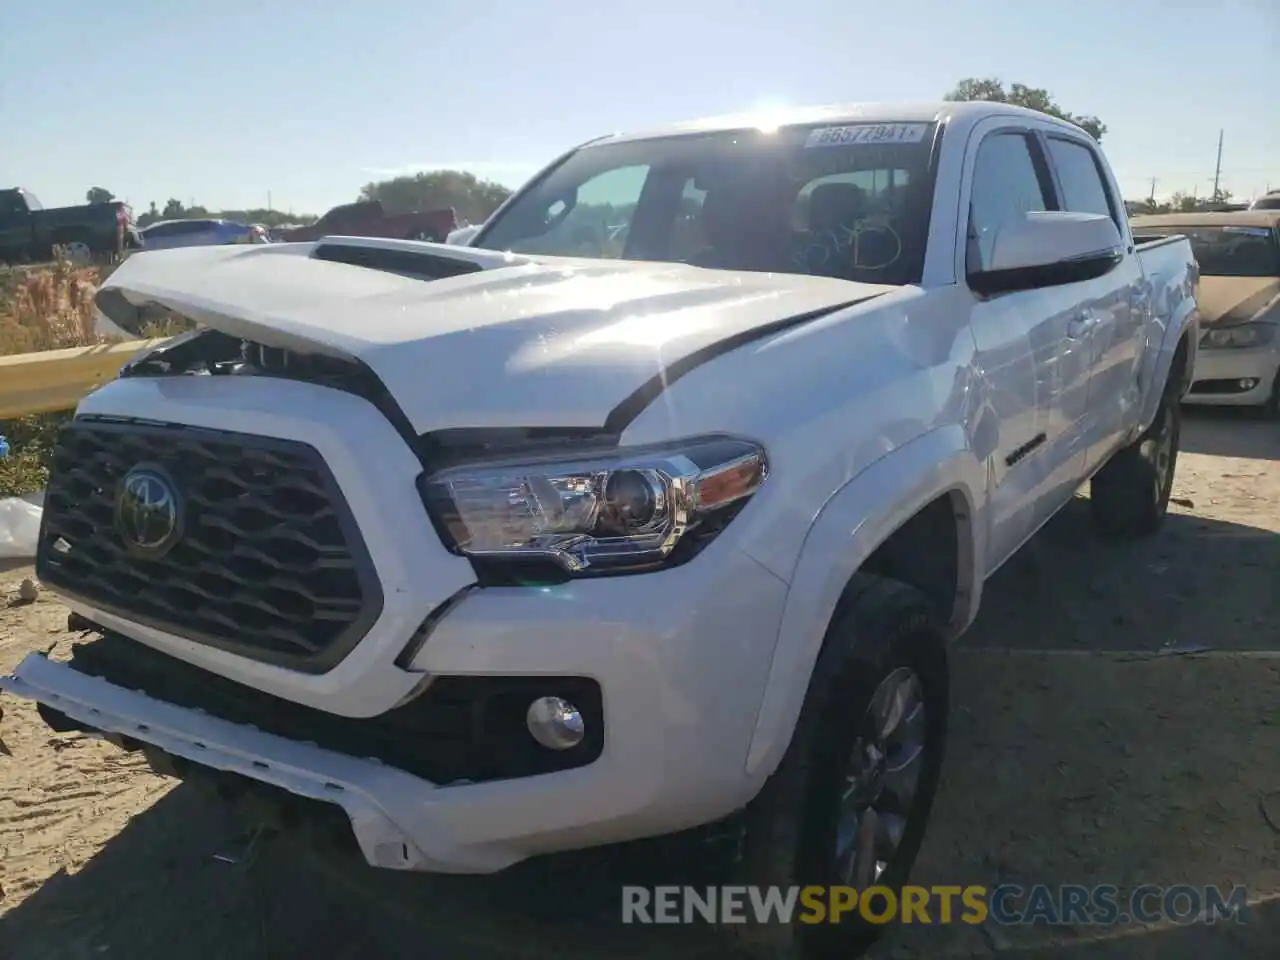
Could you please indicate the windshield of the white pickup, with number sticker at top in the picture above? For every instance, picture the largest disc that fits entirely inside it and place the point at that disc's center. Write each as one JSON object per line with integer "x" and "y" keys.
{"x": 849, "y": 202}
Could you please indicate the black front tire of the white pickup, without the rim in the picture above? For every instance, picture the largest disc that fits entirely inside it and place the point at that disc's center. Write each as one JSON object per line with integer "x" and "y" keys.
{"x": 790, "y": 830}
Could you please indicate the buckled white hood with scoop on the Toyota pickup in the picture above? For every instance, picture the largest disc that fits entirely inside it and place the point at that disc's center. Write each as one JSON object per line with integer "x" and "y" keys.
{"x": 519, "y": 341}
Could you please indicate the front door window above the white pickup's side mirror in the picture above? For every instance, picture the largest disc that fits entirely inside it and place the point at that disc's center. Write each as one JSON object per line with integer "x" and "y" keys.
{"x": 1007, "y": 185}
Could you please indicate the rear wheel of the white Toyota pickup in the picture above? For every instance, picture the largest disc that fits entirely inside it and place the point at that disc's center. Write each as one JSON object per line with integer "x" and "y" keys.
{"x": 1130, "y": 497}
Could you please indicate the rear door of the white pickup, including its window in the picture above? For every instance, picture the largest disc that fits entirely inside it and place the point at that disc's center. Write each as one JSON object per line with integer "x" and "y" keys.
{"x": 1113, "y": 310}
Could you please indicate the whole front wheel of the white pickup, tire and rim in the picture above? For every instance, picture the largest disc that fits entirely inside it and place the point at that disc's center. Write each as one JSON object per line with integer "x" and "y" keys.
{"x": 851, "y": 802}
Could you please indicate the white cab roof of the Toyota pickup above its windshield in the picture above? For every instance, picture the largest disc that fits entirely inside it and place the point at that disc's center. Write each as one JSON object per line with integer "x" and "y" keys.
{"x": 953, "y": 111}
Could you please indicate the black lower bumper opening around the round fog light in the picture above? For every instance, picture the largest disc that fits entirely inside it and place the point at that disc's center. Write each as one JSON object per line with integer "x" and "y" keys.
{"x": 459, "y": 729}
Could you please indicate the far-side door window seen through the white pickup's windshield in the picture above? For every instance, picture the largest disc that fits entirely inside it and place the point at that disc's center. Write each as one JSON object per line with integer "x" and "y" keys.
{"x": 598, "y": 223}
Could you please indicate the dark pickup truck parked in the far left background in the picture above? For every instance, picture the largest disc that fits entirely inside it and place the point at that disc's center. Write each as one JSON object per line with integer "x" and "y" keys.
{"x": 30, "y": 234}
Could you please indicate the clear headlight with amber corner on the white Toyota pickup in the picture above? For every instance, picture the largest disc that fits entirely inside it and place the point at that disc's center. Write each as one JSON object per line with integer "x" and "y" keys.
{"x": 609, "y": 511}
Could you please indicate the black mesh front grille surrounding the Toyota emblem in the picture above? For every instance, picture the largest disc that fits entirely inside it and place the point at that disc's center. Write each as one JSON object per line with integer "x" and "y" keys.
{"x": 268, "y": 563}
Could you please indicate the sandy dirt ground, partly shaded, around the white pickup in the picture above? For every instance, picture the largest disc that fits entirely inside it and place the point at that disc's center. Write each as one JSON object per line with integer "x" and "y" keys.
{"x": 1117, "y": 721}
